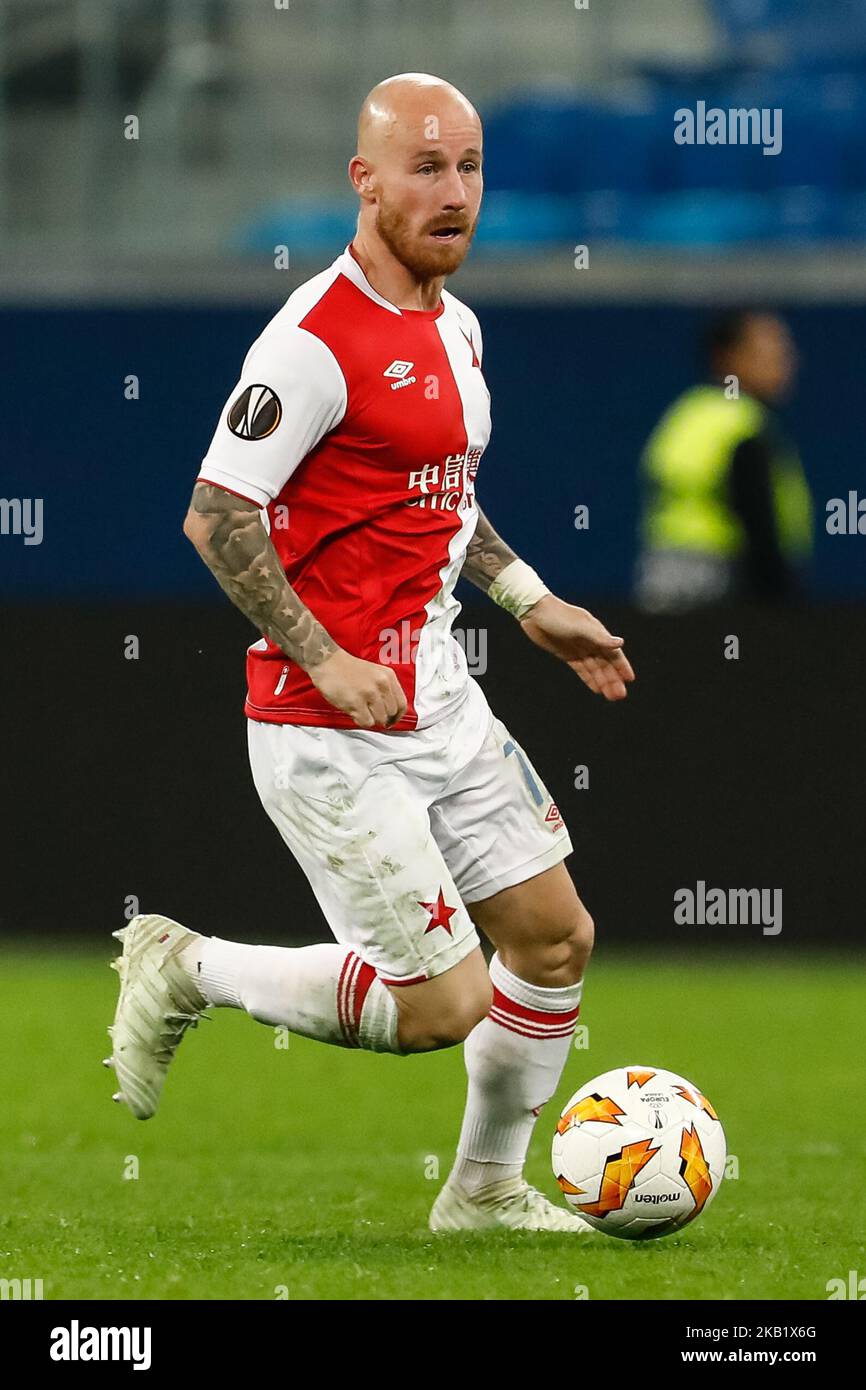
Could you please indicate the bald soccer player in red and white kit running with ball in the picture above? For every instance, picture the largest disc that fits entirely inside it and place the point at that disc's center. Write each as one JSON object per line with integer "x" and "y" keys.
{"x": 336, "y": 507}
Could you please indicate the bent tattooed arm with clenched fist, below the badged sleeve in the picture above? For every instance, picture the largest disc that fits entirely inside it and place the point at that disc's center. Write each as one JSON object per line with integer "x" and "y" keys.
{"x": 229, "y": 534}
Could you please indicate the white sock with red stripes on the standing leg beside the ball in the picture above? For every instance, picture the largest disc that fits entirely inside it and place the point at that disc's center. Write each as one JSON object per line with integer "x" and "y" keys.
{"x": 514, "y": 1060}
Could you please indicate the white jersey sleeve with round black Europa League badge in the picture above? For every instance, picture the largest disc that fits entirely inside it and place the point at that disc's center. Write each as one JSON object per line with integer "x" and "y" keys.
{"x": 290, "y": 395}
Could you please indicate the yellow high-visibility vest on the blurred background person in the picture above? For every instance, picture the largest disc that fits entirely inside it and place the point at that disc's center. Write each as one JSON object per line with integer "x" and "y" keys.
{"x": 687, "y": 464}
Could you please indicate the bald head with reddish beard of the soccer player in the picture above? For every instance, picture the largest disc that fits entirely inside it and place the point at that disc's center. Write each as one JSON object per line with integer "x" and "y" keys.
{"x": 418, "y": 173}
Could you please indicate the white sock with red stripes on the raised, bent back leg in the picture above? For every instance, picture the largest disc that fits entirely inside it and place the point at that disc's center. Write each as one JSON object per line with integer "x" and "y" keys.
{"x": 323, "y": 992}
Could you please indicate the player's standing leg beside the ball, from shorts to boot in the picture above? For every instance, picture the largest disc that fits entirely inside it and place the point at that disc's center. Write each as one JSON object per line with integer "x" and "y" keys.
{"x": 505, "y": 840}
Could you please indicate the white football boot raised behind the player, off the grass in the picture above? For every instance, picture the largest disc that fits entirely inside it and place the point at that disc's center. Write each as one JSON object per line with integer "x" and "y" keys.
{"x": 156, "y": 1006}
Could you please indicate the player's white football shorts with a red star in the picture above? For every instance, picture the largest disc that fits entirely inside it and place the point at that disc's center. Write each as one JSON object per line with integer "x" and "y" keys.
{"x": 398, "y": 832}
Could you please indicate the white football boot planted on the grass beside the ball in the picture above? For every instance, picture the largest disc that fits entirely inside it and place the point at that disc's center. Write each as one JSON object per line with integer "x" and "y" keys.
{"x": 509, "y": 1204}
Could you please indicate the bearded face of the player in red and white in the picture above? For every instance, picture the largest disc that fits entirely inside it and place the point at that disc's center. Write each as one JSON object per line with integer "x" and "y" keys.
{"x": 430, "y": 194}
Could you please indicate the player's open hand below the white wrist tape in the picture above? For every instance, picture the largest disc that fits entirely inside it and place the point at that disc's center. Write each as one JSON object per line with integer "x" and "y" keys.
{"x": 583, "y": 643}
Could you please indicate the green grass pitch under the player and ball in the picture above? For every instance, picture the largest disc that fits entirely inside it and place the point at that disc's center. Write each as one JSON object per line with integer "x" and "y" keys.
{"x": 304, "y": 1172}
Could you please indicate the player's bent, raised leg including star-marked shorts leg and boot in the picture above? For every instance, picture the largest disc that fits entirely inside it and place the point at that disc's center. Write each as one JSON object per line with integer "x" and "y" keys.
{"x": 407, "y": 972}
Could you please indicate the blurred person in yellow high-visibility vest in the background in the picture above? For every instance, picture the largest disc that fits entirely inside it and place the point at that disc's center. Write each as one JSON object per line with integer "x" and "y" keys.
{"x": 728, "y": 511}
